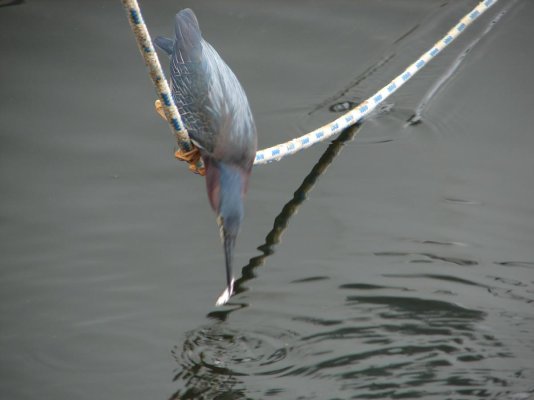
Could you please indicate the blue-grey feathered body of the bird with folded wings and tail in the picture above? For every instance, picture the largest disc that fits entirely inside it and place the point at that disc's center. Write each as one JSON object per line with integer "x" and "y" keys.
{"x": 212, "y": 103}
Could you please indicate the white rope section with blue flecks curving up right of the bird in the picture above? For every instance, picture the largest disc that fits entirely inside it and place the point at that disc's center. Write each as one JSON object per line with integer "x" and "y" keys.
{"x": 355, "y": 115}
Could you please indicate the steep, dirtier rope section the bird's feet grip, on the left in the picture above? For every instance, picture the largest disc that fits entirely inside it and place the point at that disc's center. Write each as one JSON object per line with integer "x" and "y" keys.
{"x": 144, "y": 42}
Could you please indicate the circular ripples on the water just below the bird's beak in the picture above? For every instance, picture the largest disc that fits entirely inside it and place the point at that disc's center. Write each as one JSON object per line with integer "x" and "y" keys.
{"x": 213, "y": 360}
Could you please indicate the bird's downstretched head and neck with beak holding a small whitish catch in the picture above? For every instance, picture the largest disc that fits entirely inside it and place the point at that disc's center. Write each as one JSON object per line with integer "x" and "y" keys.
{"x": 226, "y": 184}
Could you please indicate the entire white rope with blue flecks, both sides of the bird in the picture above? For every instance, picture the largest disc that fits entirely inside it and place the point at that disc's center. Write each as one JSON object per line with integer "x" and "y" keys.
{"x": 276, "y": 153}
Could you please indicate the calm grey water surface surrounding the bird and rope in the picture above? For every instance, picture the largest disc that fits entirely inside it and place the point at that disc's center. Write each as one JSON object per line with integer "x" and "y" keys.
{"x": 402, "y": 267}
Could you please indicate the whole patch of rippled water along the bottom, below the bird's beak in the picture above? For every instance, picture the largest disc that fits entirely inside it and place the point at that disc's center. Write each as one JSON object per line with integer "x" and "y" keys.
{"x": 375, "y": 344}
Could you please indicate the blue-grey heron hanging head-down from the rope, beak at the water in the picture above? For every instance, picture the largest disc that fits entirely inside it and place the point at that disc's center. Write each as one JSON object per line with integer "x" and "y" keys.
{"x": 217, "y": 115}
